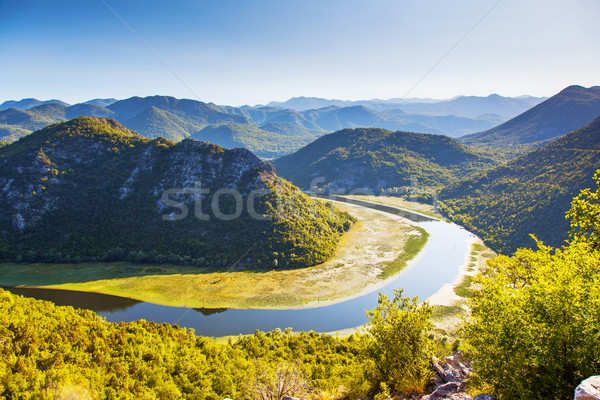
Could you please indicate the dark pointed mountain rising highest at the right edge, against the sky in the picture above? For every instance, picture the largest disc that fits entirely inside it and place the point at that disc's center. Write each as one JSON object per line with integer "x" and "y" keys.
{"x": 571, "y": 109}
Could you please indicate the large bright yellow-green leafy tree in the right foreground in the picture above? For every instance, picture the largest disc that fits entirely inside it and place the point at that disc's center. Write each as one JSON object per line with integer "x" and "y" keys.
{"x": 534, "y": 328}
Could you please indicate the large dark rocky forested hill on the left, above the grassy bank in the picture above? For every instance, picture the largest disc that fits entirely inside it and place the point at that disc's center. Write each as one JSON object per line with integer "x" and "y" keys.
{"x": 89, "y": 189}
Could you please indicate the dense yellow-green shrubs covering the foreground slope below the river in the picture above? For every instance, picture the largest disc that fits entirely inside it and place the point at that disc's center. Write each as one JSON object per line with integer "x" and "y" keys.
{"x": 56, "y": 352}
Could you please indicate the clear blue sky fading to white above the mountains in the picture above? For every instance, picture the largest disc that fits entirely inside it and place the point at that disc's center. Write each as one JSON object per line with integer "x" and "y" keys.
{"x": 247, "y": 52}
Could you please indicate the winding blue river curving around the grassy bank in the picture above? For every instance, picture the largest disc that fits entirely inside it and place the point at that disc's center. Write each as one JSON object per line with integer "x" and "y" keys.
{"x": 438, "y": 264}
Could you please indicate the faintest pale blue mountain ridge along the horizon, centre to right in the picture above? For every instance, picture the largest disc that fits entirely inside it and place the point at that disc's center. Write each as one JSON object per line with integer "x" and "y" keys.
{"x": 462, "y": 106}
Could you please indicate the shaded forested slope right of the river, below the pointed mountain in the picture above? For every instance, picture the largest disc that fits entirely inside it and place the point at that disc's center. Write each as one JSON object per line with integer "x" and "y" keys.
{"x": 527, "y": 195}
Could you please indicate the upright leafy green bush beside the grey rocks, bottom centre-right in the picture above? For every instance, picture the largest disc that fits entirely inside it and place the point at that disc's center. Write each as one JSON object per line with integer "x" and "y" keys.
{"x": 400, "y": 347}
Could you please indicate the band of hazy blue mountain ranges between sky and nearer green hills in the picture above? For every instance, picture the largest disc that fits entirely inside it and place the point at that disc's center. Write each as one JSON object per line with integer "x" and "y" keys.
{"x": 268, "y": 131}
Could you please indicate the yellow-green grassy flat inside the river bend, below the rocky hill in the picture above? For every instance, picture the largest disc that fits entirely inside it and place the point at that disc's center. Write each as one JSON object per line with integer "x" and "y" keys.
{"x": 377, "y": 247}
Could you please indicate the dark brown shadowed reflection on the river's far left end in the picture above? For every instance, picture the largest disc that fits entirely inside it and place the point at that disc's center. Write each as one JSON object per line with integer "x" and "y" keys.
{"x": 92, "y": 301}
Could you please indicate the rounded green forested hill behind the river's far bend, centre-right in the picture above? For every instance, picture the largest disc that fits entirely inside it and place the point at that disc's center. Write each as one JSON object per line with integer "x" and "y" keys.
{"x": 378, "y": 158}
